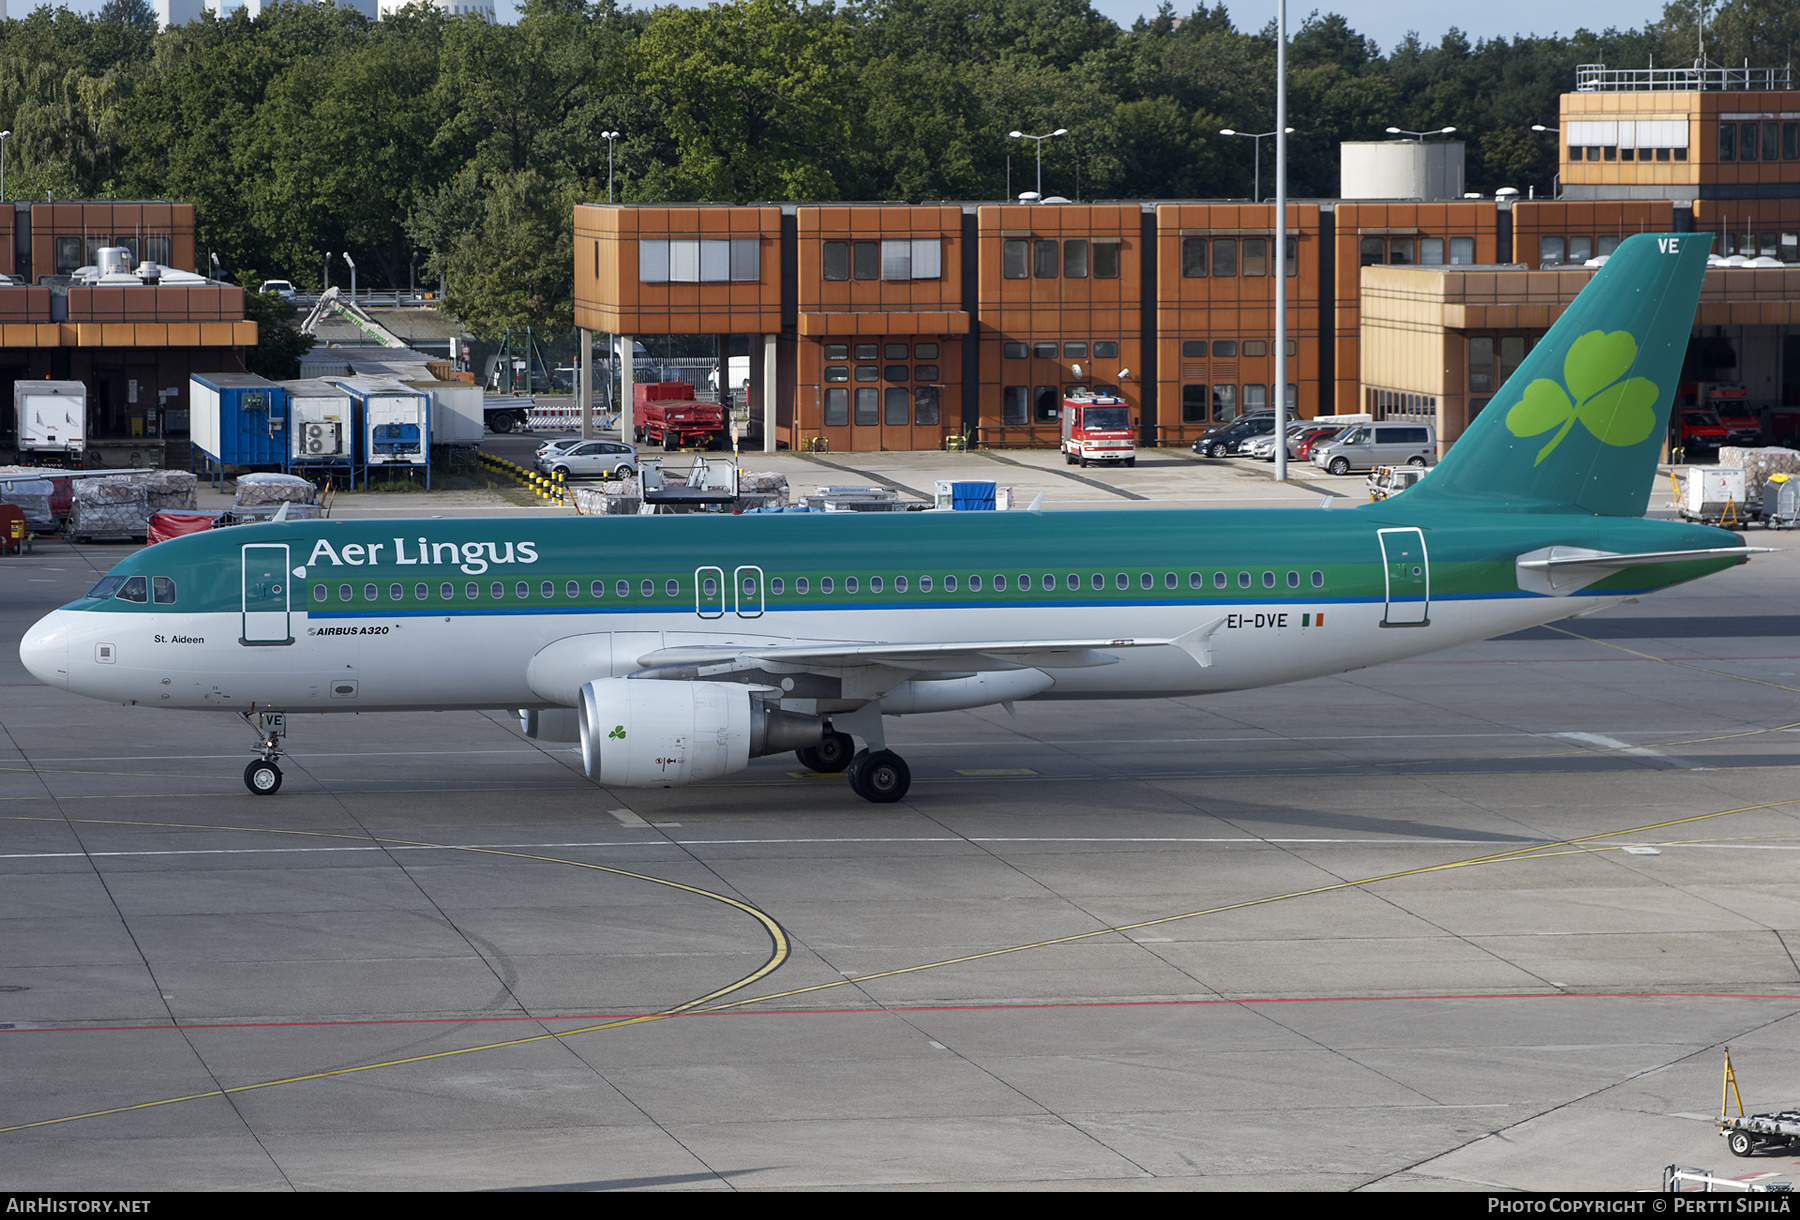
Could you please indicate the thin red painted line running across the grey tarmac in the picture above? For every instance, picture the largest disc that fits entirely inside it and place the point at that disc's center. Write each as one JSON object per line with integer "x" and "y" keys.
{"x": 955, "y": 1009}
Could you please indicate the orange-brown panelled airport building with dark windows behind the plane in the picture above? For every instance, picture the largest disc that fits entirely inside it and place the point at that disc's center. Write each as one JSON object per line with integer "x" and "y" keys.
{"x": 890, "y": 327}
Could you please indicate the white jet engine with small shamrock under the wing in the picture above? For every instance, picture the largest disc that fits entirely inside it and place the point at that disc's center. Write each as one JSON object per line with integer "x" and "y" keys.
{"x": 642, "y": 733}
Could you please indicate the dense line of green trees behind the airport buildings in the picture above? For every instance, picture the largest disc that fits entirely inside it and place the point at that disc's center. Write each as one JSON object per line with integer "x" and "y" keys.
{"x": 433, "y": 147}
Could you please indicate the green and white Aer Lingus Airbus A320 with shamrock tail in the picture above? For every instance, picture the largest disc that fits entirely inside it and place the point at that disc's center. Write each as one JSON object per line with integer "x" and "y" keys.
{"x": 678, "y": 649}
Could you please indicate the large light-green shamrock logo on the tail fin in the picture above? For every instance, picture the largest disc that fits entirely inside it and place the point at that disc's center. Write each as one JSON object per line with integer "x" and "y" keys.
{"x": 1615, "y": 411}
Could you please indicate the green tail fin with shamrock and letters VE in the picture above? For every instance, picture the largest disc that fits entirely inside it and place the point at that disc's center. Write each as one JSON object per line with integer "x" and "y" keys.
{"x": 1581, "y": 424}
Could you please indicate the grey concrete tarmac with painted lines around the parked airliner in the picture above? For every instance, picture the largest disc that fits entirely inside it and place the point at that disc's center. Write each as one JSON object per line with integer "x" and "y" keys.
{"x": 1484, "y": 920}
